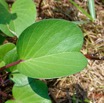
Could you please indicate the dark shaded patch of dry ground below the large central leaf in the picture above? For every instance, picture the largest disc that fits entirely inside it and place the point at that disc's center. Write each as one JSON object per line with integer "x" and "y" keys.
{"x": 72, "y": 94}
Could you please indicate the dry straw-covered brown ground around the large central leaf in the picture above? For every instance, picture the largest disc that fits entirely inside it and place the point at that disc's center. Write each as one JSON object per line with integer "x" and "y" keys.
{"x": 88, "y": 85}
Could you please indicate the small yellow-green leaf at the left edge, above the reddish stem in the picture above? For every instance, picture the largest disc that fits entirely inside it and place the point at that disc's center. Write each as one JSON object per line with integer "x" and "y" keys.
{"x": 5, "y": 48}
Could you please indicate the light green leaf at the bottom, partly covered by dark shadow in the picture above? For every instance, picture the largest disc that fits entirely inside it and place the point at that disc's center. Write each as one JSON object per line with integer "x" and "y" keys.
{"x": 32, "y": 90}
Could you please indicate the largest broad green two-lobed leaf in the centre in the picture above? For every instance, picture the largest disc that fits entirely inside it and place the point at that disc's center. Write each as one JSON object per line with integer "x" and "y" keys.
{"x": 51, "y": 49}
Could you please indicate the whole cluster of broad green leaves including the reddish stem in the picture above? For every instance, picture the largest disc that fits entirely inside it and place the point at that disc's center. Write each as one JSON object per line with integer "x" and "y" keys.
{"x": 46, "y": 49}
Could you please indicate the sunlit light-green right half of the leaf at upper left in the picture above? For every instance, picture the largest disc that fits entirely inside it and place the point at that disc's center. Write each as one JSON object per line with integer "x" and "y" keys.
{"x": 26, "y": 14}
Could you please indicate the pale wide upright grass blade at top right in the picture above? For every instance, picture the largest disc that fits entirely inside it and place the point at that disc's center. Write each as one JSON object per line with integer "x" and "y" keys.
{"x": 91, "y": 6}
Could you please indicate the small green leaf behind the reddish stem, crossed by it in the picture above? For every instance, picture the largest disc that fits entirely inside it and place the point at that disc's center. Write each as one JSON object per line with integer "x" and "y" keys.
{"x": 10, "y": 57}
